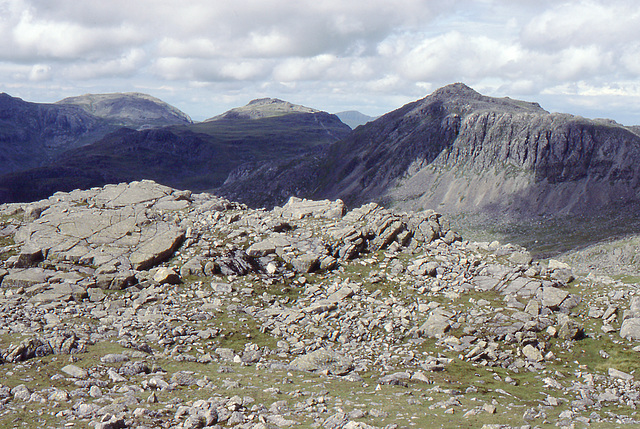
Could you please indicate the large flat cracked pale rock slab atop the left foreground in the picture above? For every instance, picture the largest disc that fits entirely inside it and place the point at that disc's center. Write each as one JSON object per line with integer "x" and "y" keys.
{"x": 117, "y": 225}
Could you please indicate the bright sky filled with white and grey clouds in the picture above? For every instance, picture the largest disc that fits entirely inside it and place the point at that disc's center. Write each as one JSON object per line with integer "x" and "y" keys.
{"x": 208, "y": 56}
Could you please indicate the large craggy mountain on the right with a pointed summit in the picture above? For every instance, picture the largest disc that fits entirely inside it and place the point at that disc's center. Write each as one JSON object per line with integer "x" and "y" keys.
{"x": 459, "y": 151}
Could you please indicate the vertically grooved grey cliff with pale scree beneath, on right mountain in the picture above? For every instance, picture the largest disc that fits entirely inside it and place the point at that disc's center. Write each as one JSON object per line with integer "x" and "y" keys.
{"x": 528, "y": 164}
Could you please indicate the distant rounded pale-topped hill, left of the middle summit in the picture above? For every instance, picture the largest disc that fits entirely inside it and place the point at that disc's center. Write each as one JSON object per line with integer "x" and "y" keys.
{"x": 131, "y": 109}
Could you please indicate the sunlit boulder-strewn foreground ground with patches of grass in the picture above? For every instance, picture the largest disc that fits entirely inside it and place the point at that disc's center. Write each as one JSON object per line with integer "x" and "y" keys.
{"x": 137, "y": 305}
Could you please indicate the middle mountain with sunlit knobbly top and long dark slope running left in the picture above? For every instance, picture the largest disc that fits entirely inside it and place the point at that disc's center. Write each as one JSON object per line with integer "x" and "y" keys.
{"x": 196, "y": 156}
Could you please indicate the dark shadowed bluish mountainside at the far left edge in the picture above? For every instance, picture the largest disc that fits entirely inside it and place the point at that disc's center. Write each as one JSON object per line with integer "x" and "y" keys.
{"x": 33, "y": 133}
